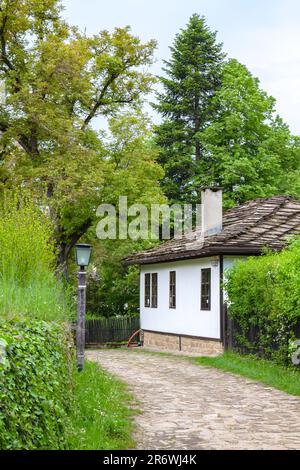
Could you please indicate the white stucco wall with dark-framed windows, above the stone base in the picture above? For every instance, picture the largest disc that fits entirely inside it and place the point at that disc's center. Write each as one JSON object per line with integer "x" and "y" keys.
{"x": 187, "y": 318}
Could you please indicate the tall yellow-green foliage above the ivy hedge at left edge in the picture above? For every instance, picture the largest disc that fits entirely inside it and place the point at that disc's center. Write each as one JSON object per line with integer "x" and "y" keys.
{"x": 28, "y": 285}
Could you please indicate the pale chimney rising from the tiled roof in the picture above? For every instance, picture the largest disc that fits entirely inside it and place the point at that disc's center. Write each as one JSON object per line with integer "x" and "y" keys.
{"x": 211, "y": 210}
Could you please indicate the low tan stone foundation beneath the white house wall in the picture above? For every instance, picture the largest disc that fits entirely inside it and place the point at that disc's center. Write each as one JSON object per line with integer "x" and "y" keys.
{"x": 188, "y": 344}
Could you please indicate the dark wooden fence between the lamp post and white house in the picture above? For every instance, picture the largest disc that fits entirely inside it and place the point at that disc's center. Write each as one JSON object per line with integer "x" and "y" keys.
{"x": 110, "y": 330}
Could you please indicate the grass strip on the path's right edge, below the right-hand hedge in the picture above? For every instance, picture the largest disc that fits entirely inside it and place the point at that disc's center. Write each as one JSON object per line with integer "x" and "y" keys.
{"x": 267, "y": 372}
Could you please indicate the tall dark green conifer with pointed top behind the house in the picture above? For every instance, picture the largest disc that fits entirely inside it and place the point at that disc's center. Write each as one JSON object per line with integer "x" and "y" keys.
{"x": 193, "y": 75}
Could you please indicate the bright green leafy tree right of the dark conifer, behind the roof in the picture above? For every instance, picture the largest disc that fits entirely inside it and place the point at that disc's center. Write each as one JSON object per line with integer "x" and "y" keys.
{"x": 248, "y": 150}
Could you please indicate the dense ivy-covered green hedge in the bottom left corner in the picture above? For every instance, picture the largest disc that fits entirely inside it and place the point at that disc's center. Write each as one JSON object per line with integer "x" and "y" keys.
{"x": 35, "y": 385}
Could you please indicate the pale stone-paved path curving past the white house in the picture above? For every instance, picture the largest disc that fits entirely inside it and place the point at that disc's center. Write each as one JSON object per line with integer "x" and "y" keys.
{"x": 189, "y": 407}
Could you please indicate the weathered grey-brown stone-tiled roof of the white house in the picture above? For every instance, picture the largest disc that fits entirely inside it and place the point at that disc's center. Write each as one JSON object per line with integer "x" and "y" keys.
{"x": 247, "y": 229}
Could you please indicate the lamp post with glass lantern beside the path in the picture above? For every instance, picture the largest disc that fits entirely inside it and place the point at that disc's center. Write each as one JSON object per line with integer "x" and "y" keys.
{"x": 83, "y": 254}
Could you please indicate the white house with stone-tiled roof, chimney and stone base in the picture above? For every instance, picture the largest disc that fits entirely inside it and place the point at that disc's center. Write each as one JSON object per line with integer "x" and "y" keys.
{"x": 181, "y": 294}
